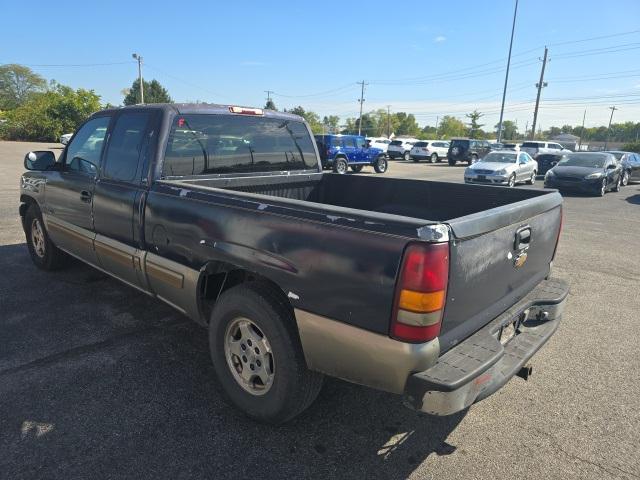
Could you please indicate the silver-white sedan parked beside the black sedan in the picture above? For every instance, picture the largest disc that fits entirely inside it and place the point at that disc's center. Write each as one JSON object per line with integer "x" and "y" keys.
{"x": 503, "y": 168}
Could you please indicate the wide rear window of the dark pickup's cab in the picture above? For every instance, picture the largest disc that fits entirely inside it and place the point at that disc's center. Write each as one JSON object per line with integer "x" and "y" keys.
{"x": 203, "y": 143}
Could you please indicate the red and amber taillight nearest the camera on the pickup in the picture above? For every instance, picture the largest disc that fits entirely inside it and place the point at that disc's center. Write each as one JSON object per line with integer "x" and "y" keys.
{"x": 421, "y": 292}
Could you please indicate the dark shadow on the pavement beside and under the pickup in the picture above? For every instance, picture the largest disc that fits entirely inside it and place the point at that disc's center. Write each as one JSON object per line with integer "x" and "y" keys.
{"x": 98, "y": 380}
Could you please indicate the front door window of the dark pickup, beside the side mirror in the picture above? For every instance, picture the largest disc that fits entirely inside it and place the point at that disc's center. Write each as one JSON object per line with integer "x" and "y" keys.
{"x": 83, "y": 153}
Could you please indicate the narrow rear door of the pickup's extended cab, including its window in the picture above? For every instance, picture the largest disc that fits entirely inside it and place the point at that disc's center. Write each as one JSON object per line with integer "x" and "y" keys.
{"x": 119, "y": 197}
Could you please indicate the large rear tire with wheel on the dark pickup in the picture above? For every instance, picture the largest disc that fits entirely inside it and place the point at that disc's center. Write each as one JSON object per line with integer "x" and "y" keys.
{"x": 292, "y": 387}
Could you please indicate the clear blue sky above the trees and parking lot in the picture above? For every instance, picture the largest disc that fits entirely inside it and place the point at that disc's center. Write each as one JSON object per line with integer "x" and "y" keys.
{"x": 427, "y": 58}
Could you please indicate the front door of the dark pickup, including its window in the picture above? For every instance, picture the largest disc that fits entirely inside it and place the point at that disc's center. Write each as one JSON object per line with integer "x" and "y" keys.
{"x": 69, "y": 191}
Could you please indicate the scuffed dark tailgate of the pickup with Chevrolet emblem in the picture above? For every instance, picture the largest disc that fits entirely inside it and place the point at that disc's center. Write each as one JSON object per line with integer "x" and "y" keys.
{"x": 484, "y": 277}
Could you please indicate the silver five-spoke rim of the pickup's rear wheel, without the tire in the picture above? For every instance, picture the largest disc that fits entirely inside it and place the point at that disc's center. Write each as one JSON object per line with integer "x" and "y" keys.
{"x": 249, "y": 356}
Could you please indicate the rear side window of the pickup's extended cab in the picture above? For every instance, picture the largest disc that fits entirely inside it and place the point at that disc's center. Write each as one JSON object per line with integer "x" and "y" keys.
{"x": 126, "y": 146}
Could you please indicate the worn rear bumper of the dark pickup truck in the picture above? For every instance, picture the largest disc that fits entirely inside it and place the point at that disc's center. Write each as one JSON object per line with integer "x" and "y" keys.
{"x": 481, "y": 365}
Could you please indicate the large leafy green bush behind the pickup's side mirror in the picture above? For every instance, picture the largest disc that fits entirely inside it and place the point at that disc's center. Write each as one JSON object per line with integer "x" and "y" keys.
{"x": 47, "y": 115}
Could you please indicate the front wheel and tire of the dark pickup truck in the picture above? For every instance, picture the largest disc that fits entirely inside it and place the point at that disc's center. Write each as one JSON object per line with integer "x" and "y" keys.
{"x": 44, "y": 254}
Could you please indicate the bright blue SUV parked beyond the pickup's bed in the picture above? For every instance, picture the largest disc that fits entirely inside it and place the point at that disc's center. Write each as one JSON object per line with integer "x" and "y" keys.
{"x": 343, "y": 151}
